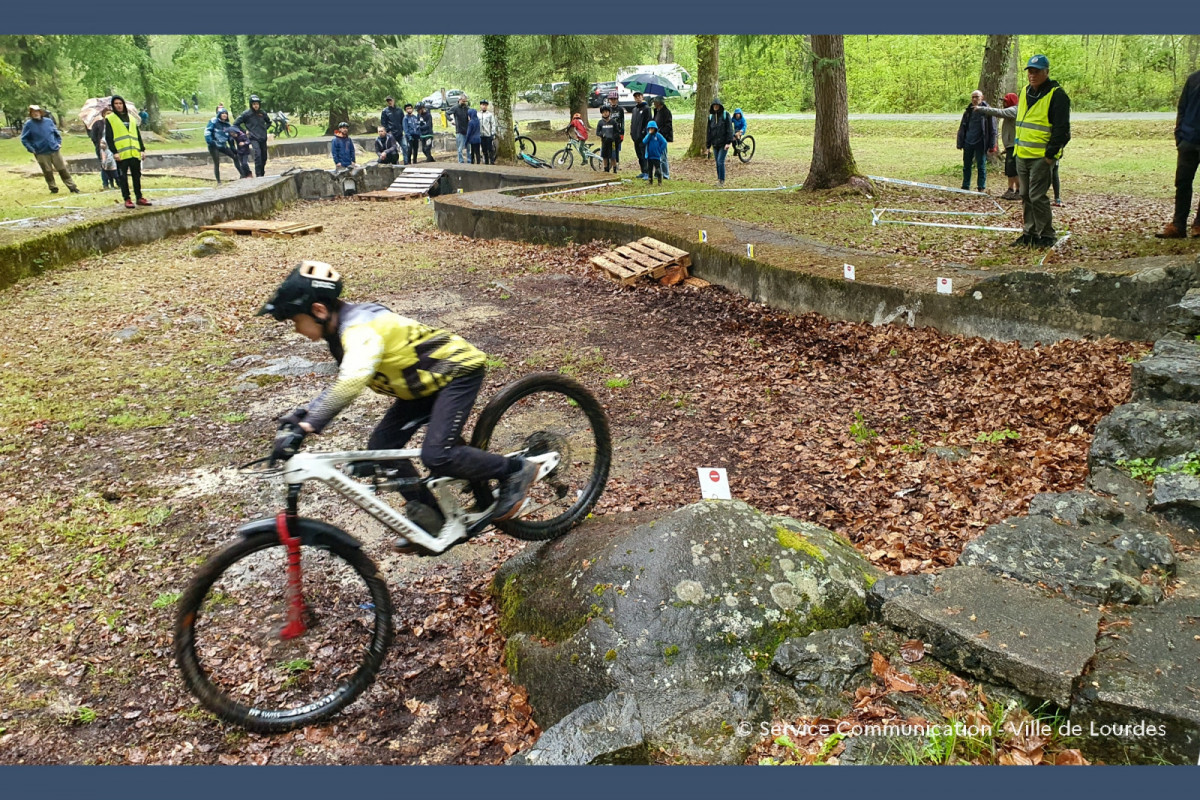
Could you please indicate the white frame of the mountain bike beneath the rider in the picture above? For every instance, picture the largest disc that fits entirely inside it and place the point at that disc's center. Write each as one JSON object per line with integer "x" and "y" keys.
{"x": 325, "y": 468}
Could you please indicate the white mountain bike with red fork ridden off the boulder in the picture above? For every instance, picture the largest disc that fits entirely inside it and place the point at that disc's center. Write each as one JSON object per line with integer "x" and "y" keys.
{"x": 292, "y": 622}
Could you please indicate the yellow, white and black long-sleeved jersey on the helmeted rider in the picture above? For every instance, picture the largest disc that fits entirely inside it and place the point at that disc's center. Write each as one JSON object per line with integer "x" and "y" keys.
{"x": 394, "y": 356}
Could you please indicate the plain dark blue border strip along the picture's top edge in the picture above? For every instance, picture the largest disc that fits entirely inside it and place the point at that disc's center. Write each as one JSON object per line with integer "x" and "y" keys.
{"x": 609, "y": 17}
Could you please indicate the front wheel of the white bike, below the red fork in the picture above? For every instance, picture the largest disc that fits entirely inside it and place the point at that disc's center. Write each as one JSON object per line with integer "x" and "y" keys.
{"x": 230, "y": 633}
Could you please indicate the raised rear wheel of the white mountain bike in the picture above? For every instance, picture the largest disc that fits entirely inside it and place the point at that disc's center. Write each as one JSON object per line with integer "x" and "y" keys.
{"x": 545, "y": 413}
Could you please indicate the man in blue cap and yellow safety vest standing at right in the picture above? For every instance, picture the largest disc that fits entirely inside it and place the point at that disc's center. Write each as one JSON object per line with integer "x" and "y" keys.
{"x": 1043, "y": 130}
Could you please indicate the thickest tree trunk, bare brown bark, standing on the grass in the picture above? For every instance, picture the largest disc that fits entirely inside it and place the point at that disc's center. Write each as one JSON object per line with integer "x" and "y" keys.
{"x": 833, "y": 164}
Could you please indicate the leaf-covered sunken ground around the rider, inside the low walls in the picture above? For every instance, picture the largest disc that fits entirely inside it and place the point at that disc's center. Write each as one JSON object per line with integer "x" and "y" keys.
{"x": 116, "y": 455}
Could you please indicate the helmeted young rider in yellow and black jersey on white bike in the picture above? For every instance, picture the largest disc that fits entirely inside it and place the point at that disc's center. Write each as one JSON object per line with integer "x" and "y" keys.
{"x": 430, "y": 372}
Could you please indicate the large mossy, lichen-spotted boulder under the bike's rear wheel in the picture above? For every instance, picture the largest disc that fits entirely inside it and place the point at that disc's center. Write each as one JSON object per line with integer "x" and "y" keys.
{"x": 681, "y": 617}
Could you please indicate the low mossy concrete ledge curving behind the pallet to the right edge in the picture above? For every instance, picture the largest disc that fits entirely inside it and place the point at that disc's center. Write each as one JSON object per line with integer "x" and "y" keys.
{"x": 993, "y": 309}
